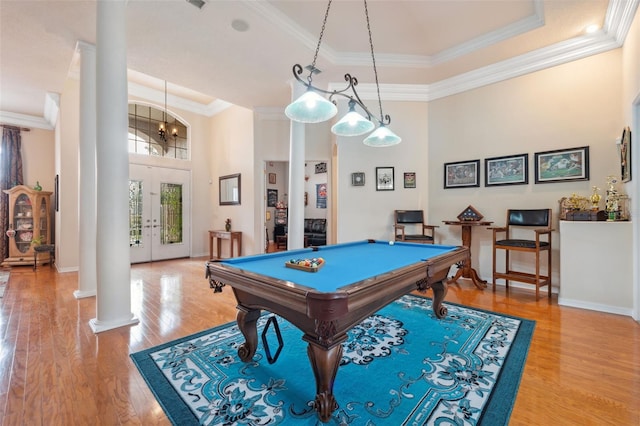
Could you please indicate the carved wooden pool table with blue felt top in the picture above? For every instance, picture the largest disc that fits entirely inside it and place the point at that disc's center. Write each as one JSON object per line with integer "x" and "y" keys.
{"x": 355, "y": 280}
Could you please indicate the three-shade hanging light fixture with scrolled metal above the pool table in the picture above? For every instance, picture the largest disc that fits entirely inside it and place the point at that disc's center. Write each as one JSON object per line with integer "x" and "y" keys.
{"x": 312, "y": 107}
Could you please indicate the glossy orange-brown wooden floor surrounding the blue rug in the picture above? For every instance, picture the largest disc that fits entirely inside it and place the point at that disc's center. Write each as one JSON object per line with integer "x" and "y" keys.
{"x": 583, "y": 367}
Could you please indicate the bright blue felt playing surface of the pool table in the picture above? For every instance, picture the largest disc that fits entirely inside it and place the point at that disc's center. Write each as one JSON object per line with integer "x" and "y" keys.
{"x": 345, "y": 264}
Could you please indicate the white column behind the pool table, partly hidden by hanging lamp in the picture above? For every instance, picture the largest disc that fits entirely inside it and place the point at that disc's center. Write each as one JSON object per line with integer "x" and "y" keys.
{"x": 297, "y": 141}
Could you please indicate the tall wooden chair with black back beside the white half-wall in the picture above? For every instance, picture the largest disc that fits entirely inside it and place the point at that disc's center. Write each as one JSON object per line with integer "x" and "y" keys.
{"x": 536, "y": 221}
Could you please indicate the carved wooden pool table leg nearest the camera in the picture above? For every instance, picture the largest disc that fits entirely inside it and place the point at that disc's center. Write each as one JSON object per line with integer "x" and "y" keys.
{"x": 325, "y": 362}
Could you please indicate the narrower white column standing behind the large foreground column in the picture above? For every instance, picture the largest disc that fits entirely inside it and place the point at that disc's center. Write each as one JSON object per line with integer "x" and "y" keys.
{"x": 87, "y": 278}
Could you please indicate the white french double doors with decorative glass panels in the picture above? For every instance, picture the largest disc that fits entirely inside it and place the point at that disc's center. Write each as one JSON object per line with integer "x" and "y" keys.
{"x": 159, "y": 214}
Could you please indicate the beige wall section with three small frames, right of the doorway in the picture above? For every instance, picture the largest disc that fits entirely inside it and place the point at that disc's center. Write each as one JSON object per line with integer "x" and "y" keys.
{"x": 363, "y": 212}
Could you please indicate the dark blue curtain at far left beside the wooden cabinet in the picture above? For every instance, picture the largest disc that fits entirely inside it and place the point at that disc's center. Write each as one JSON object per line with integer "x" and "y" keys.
{"x": 10, "y": 176}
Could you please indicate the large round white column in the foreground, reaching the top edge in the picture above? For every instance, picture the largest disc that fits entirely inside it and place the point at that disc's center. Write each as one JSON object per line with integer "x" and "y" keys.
{"x": 113, "y": 301}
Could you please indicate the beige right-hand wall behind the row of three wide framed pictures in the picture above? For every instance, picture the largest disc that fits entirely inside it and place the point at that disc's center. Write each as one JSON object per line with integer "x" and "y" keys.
{"x": 572, "y": 105}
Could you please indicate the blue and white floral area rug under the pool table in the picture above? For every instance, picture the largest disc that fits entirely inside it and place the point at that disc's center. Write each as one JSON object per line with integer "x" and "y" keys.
{"x": 401, "y": 366}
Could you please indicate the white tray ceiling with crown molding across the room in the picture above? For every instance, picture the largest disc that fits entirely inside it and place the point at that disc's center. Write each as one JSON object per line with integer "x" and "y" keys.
{"x": 423, "y": 49}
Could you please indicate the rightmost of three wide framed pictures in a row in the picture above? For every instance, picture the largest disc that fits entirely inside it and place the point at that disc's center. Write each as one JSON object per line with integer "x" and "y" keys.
{"x": 562, "y": 165}
